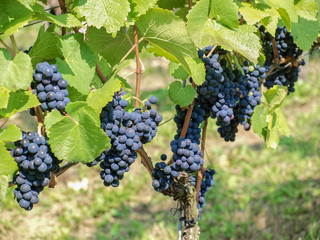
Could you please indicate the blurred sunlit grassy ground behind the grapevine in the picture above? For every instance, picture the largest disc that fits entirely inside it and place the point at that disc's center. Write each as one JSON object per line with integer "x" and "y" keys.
{"x": 259, "y": 193}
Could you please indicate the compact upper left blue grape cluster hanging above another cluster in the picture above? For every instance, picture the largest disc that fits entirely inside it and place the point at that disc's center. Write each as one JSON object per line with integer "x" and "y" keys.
{"x": 50, "y": 87}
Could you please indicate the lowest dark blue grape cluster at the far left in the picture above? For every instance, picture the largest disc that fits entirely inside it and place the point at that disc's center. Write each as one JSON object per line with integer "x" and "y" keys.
{"x": 35, "y": 161}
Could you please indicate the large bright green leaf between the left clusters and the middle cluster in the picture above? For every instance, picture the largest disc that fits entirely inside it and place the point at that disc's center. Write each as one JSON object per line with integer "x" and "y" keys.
{"x": 79, "y": 139}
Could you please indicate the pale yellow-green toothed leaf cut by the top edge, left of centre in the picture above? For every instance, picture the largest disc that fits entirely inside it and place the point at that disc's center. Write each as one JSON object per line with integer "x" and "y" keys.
{"x": 110, "y": 14}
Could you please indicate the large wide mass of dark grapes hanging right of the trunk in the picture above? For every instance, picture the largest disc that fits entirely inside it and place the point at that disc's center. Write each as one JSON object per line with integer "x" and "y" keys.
{"x": 229, "y": 96}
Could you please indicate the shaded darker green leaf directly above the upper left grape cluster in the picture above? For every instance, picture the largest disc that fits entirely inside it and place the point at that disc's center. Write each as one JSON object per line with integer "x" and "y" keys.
{"x": 45, "y": 47}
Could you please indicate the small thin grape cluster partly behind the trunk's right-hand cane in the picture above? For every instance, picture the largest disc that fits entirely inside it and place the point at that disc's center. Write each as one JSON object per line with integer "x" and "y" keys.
{"x": 206, "y": 184}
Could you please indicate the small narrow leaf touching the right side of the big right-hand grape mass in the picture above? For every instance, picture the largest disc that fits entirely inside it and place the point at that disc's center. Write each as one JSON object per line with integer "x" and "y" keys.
{"x": 259, "y": 120}
